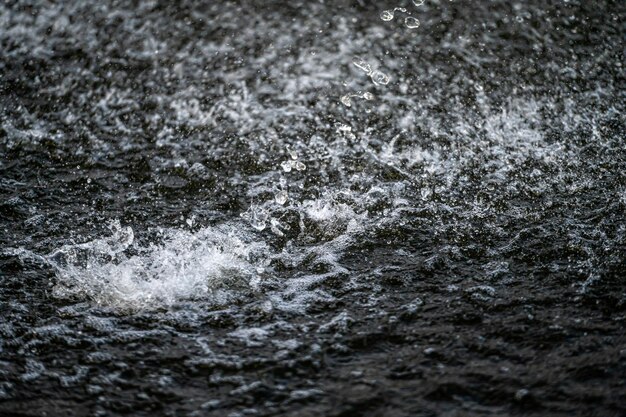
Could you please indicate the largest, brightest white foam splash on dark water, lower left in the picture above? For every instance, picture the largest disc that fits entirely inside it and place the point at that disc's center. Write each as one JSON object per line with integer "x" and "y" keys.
{"x": 213, "y": 264}
